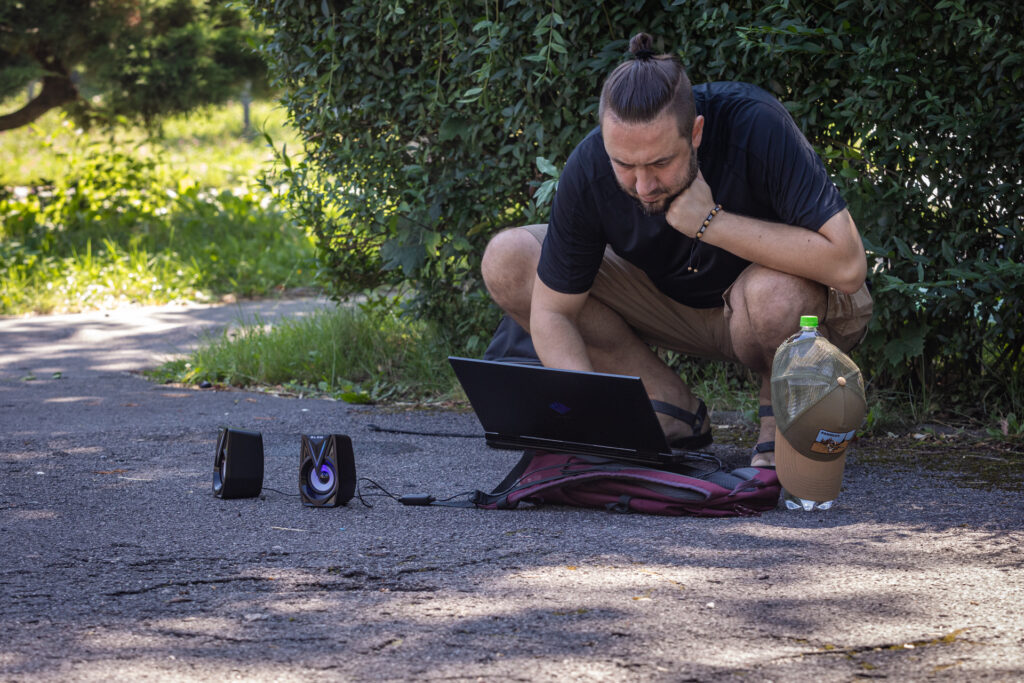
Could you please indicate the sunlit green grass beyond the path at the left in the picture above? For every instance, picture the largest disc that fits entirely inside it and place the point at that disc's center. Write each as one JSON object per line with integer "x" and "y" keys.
{"x": 98, "y": 221}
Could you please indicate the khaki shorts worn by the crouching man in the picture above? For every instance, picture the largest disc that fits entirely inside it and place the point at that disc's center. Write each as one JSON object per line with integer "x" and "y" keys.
{"x": 704, "y": 332}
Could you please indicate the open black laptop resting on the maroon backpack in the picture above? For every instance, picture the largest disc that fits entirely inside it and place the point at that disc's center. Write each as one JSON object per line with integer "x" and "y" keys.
{"x": 532, "y": 407}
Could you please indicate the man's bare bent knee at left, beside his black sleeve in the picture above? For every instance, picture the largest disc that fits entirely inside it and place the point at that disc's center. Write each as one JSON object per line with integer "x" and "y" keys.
{"x": 508, "y": 268}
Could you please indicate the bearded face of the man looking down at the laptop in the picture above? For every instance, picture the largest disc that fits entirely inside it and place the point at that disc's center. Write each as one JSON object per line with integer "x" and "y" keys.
{"x": 654, "y": 164}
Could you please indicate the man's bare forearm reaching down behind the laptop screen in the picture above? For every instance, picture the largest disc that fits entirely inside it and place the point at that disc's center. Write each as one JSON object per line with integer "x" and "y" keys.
{"x": 554, "y": 328}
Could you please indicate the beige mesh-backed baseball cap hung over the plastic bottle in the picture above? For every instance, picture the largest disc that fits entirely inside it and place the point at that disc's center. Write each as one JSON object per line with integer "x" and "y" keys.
{"x": 819, "y": 401}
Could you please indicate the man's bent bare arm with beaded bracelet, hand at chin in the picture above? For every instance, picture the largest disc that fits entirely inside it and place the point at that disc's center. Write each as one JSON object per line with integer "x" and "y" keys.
{"x": 834, "y": 255}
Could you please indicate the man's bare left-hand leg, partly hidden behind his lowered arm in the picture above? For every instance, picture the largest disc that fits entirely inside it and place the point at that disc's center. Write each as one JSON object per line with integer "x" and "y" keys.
{"x": 509, "y": 268}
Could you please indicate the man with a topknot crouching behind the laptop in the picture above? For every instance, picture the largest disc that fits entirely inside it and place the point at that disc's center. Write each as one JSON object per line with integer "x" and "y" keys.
{"x": 697, "y": 220}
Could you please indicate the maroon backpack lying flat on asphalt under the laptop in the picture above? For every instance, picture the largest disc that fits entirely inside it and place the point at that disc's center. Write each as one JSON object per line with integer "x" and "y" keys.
{"x": 702, "y": 487}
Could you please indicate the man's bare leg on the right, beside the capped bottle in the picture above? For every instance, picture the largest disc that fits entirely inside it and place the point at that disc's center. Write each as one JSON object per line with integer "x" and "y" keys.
{"x": 766, "y": 307}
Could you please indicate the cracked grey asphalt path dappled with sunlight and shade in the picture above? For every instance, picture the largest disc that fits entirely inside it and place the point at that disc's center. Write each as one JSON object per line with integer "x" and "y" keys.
{"x": 117, "y": 563}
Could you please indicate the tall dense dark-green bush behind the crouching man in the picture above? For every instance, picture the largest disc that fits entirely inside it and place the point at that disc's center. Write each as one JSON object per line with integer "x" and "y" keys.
{"x": 430, "y": 126}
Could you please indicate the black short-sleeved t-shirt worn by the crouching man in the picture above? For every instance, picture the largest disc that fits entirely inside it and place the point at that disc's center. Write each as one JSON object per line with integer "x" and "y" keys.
{"x": 754, "y": 158}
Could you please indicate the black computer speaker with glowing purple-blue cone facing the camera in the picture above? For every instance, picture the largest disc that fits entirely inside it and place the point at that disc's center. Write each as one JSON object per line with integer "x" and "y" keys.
{"x": 327, "y": 471}
